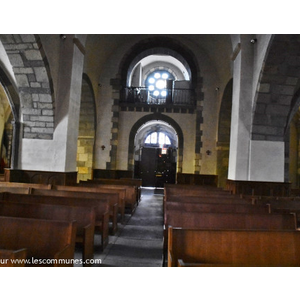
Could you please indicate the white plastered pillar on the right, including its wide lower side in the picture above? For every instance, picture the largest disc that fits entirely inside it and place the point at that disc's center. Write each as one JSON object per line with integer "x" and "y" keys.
{"x": 250, "y": 159}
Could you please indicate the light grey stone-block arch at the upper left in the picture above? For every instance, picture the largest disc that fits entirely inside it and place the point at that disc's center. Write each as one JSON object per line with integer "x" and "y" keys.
{"x": 34, "y": 82}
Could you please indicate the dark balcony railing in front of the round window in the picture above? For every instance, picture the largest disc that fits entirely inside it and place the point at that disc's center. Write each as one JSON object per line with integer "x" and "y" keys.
{"x": 173, "y": 96}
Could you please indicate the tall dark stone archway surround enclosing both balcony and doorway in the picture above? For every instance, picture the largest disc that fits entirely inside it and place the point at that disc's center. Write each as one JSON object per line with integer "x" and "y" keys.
{"x": 157, "y": 45}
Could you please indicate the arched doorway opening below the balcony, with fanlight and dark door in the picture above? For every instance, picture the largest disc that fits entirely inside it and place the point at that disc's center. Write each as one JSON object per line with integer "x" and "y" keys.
{"x": 155, "y": 161}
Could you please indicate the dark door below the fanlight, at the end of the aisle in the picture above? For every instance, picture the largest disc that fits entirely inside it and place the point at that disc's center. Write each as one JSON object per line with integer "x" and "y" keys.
{"x": 157, "y": 167}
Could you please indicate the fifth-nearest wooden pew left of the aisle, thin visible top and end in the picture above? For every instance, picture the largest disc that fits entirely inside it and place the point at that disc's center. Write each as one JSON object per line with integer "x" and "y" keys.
{"x": 111, "y": 198}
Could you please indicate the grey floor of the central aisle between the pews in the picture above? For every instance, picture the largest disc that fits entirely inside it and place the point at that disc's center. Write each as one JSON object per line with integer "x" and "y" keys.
{"x": 139, "y": 241}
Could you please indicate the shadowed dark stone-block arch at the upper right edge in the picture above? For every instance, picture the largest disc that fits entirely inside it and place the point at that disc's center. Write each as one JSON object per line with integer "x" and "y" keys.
{"x": 276, "y": 99}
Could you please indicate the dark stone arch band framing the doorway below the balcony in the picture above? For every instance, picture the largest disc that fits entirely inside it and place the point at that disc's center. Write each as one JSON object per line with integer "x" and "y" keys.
{"x": 153, "y": 117}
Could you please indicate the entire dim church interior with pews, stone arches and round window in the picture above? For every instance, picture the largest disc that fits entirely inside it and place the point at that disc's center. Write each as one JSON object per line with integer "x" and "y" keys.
{"x": 187, "y": 147}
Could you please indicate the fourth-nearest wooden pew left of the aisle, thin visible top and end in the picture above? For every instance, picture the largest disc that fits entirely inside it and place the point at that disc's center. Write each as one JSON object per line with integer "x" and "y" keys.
{"x": 101, "y": 208}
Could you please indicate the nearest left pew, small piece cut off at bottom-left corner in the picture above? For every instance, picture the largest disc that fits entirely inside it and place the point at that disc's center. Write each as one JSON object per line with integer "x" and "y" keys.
{"x": 12, "y": 258}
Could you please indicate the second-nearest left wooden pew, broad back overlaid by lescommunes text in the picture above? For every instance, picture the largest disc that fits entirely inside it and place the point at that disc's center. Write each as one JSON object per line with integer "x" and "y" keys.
{"x": 48, "y": 242}
